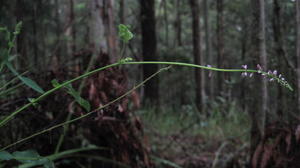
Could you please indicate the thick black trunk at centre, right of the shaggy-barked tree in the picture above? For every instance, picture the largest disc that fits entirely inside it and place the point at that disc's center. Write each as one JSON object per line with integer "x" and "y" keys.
{"x": 149, "y": 49}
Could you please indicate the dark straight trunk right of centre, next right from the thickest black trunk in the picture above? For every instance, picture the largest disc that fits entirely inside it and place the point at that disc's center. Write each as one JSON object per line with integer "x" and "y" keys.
{"x": 199, "y": 77}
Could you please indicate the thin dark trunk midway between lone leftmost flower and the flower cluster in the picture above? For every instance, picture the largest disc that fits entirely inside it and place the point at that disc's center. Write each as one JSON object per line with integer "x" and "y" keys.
{"x": 220, "y": 44}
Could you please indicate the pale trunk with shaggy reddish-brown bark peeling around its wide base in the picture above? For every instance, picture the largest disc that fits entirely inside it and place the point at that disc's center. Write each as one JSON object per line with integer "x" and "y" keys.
{"x": 108, "y": 85}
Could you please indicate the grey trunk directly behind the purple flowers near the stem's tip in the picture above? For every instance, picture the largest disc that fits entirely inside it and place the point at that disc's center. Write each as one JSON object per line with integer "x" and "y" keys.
{"x": 259, "y": 110}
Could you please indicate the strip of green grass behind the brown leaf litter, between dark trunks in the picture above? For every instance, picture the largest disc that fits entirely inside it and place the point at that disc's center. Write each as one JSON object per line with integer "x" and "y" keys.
{"x": 187, "y": 120}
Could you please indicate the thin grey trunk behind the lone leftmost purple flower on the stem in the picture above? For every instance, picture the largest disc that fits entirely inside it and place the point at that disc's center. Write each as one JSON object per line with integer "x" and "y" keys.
{"x": 209, "y": 57}
